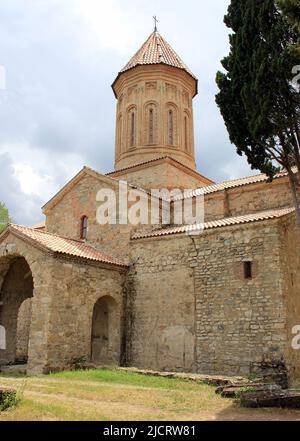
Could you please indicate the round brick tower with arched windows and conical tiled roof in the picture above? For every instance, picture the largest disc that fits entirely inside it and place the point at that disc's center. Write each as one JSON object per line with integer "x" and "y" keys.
{"x": 154, "y": 117}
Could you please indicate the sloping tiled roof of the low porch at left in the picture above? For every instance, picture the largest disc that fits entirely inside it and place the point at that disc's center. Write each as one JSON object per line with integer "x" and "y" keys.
{"x": 60, "y": 246}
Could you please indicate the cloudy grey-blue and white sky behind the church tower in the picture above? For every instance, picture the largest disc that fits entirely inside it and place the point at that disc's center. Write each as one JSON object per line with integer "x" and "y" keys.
{"x": 57, "y": 112}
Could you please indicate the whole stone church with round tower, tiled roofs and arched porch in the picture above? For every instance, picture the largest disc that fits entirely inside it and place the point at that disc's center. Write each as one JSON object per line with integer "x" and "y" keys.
{"x": 225, "y": 301}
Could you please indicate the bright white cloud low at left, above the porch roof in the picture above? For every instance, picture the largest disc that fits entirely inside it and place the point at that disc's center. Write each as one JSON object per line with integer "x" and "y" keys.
{"x": 32, "y": 177}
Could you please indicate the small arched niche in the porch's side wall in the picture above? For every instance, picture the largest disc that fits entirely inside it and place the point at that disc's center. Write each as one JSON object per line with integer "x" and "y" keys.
{"x": 105, "y": 345}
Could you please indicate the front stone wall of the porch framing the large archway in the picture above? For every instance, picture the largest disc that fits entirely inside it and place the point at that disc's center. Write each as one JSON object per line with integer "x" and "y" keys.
{"x": 40, "y": 267}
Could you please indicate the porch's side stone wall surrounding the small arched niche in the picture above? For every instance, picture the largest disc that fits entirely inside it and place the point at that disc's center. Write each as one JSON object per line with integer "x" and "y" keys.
{"x": 75, "y": 291}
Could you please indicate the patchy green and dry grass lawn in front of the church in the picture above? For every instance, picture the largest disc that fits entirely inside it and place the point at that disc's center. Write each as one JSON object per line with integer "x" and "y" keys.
{"x": 114, "y": 395}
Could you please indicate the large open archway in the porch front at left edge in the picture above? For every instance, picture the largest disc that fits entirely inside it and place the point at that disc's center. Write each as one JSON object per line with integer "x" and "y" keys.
{"x": 15, "y": 310}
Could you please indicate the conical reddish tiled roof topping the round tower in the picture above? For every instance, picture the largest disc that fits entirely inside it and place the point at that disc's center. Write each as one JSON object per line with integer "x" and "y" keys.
{"x": 156, "y": 51}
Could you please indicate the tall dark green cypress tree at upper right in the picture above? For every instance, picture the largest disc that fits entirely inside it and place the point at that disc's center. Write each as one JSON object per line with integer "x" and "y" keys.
{"x": 257, "y": 97}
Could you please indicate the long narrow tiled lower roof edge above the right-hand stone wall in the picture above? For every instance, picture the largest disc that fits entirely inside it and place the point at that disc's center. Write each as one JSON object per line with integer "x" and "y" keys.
{"x": 238, "y": 220}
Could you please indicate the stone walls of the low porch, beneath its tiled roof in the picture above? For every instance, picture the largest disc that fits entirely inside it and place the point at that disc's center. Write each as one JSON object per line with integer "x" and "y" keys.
{"x": 64, "y": 295}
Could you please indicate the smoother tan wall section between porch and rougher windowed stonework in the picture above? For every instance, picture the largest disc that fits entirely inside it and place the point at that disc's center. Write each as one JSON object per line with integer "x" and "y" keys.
{"x": 161, "y": 306}
